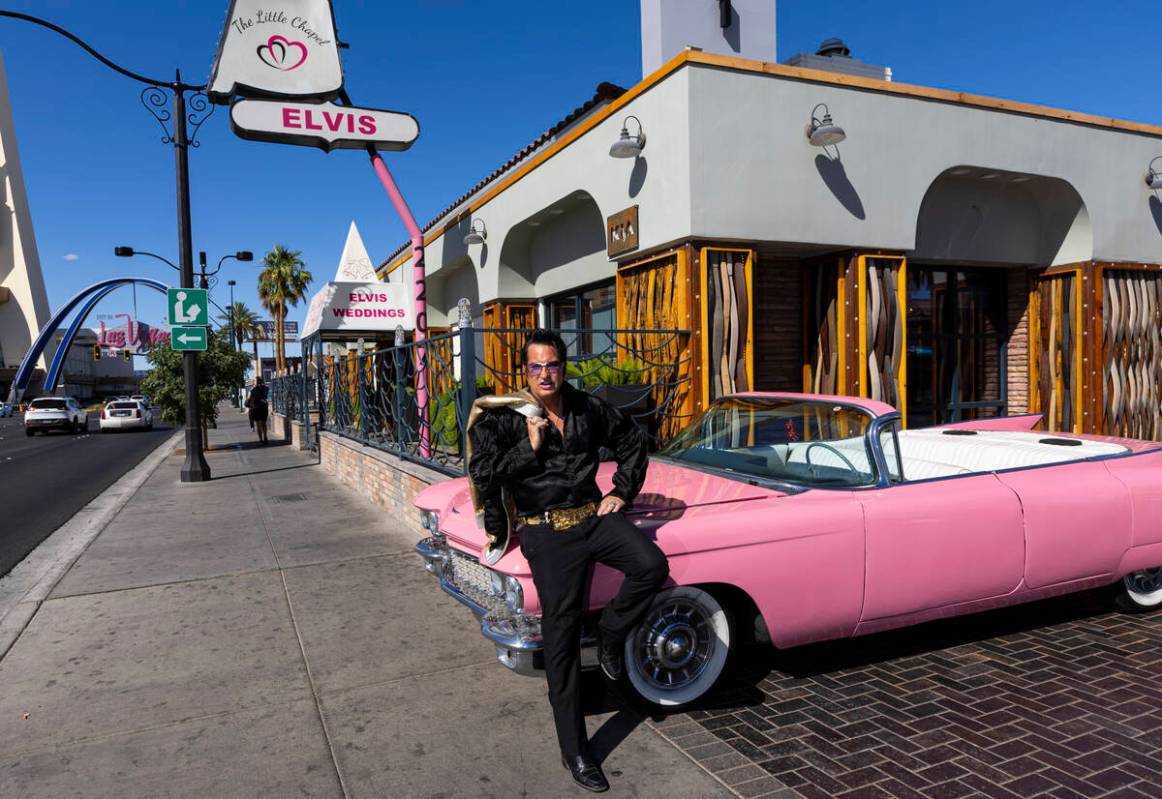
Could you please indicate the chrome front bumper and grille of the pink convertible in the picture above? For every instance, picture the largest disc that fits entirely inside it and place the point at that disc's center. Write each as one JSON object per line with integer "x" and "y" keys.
{"x": 518, "y": 638}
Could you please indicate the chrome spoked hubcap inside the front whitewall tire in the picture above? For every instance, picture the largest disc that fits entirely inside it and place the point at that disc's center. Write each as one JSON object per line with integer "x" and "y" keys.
{"x": 675, "y": 645}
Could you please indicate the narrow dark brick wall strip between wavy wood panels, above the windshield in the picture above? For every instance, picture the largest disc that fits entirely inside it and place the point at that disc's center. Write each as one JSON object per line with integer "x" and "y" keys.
{"x": 778, "y": 326}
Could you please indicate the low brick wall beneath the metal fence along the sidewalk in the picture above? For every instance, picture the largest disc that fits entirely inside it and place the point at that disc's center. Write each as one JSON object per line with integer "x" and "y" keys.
{"x": 388, "y": 481}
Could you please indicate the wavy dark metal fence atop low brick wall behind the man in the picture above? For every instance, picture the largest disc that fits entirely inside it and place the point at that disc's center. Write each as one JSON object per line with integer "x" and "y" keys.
{"x": 376, "y": 398}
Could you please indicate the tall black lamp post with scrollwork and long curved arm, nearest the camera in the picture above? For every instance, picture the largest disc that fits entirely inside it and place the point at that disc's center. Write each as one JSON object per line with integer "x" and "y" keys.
{"x": 196, "y": 470}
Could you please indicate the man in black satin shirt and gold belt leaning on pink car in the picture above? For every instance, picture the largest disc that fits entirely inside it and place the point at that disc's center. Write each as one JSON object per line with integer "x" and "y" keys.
{"x": 549, "y": 466}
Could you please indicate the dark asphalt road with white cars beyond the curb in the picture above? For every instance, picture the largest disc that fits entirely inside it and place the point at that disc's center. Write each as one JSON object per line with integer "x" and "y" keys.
{"x": 48, "y": 478}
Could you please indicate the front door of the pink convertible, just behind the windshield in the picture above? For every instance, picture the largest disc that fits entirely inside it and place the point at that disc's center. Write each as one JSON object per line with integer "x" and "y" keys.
{"x": 941, "y": 543}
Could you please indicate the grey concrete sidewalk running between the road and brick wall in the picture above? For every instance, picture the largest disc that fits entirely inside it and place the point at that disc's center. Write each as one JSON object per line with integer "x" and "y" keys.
{"x": 272, "y": 635}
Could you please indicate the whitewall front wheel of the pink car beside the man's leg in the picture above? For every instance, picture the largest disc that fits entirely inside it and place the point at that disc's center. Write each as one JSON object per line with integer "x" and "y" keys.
{"x": 680, "y": 650}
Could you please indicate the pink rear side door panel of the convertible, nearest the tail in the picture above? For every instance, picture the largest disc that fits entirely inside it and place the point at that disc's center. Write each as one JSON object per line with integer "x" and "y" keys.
{"x": 1078, "y": 522}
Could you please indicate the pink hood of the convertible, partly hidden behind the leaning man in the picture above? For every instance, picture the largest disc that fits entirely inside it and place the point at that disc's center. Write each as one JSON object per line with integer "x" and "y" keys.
{"x": 670, "y": 493}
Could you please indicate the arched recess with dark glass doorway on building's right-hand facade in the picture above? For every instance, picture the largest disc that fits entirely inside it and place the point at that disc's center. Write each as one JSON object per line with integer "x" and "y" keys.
{"x": 980, "y": 235}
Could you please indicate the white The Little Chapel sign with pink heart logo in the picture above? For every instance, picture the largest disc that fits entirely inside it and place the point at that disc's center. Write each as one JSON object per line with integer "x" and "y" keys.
{"x": 278, "y": 49}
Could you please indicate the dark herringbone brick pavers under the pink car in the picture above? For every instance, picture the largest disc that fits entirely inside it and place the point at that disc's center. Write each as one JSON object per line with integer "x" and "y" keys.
{"x": 1060, "y": 699}
